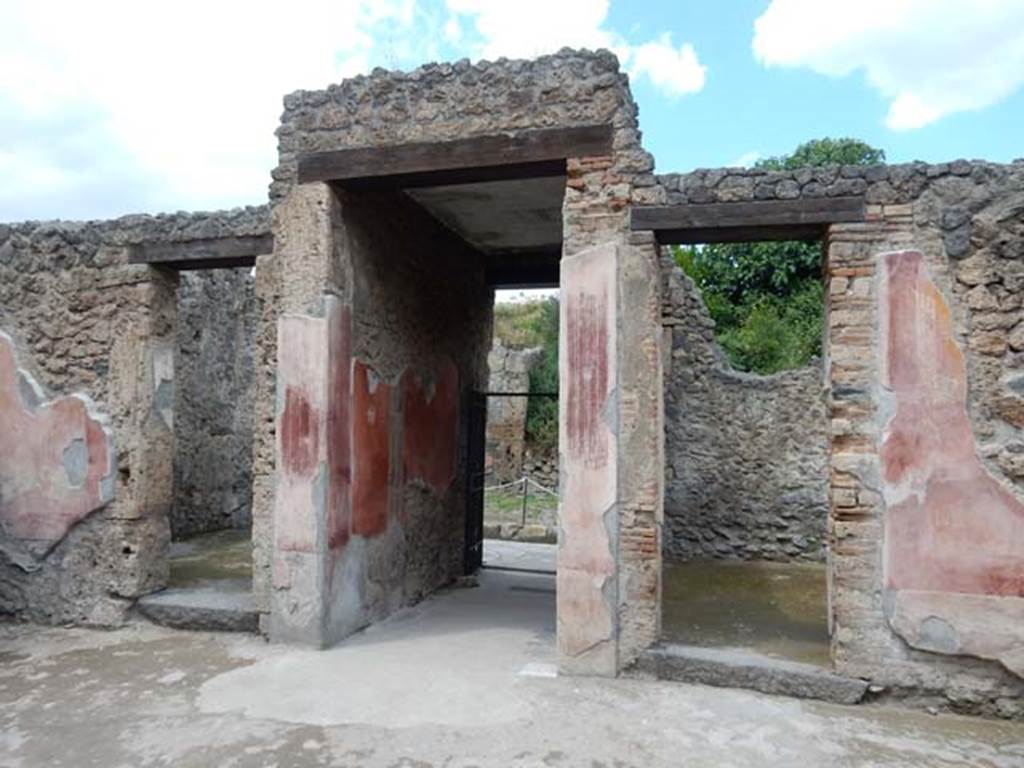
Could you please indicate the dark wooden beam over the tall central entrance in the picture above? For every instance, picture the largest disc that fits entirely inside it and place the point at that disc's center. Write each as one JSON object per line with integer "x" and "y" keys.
{"x": 519, "y": 155}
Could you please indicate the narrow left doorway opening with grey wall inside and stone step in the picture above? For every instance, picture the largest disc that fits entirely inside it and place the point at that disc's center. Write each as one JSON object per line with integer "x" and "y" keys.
{"x": 210, "y": 557}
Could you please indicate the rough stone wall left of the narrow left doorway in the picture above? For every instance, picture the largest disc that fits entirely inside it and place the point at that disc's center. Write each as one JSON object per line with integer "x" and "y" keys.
{"x": 84, "y": 321}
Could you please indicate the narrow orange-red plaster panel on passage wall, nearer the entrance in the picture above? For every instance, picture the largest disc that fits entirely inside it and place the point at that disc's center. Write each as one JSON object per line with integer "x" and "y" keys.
{"x": 371, "y": 437}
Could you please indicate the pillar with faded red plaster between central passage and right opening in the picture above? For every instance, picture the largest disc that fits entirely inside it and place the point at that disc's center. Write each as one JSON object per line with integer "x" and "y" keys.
{"x": 612, "y": 434}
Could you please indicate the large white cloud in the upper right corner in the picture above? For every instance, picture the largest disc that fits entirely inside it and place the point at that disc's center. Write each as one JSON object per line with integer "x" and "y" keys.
{"x": 928, "y": 58}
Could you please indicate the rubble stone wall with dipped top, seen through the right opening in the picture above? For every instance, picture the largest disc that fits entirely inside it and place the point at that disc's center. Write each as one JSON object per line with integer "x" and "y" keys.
{"x": 746, "y": 456}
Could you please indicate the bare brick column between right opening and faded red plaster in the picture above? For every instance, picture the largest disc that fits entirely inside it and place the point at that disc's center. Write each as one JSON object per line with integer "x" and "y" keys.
{"x": 860, "y": 636}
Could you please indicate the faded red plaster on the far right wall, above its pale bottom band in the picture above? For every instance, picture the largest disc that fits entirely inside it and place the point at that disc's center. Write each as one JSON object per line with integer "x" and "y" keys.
{"x": 951, "y": 526}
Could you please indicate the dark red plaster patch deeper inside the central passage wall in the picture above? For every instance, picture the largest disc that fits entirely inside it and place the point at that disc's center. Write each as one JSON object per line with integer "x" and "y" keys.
{"x": 431, "y": 428}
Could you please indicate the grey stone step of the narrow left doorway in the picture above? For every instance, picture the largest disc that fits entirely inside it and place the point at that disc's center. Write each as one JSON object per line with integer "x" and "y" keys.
{"x": 216, "y": 608}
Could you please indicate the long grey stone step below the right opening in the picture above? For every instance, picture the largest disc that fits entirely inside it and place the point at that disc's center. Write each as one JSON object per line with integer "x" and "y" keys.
{"x": 736, "y": 669}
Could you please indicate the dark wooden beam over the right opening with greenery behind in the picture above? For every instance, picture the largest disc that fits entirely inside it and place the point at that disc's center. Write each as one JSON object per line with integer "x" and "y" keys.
{"x": 723, "y": 223}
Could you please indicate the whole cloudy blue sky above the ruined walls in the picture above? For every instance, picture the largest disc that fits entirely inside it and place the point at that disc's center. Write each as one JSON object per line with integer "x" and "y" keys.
{"x": 121, "y": 106}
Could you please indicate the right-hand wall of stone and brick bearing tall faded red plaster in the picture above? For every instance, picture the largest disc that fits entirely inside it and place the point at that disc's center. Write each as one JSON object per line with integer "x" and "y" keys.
{"x": 926, "y": 430}
